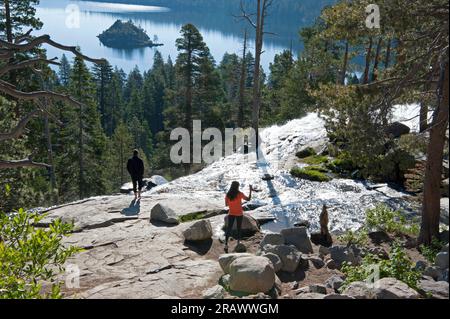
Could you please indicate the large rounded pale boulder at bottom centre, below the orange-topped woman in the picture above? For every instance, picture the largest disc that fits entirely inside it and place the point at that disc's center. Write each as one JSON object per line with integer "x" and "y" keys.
{"x": 252, "y": 275}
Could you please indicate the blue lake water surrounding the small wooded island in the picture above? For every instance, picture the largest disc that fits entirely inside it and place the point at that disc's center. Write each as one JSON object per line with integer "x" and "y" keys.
{"x": 79, "y": 23}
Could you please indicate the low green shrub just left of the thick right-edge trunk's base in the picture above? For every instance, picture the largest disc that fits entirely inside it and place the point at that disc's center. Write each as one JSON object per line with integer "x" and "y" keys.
{"x": 383, "y": 218}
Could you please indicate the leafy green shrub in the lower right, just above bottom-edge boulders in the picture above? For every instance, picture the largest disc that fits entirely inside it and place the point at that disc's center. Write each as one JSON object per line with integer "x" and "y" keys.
{"x": 398, "y": 266}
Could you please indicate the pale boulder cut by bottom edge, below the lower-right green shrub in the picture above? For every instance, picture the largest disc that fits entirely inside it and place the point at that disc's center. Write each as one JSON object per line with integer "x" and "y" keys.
{"x": 391, "y": 288}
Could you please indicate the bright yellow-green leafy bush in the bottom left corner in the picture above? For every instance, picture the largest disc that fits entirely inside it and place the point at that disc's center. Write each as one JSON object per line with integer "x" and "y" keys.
{"x": 30, "y": 256}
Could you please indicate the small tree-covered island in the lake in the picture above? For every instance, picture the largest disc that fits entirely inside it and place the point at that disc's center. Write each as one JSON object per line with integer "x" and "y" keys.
{"x": 126, "y": 35}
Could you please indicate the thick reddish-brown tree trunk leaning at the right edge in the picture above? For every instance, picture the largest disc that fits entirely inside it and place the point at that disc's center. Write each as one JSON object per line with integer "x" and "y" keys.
{"x": 433, "y": 171}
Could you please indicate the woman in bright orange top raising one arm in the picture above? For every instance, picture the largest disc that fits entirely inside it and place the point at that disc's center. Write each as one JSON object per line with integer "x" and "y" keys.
{"x": 233, "y": 200}
